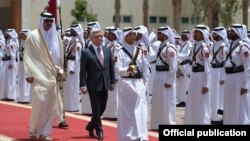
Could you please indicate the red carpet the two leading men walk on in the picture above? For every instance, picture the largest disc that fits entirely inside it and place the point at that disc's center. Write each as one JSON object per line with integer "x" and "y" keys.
{"x": 14, "y": 121}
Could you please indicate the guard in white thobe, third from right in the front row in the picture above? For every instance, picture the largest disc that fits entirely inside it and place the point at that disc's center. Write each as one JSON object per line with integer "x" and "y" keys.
{"x": 198, "y": 105}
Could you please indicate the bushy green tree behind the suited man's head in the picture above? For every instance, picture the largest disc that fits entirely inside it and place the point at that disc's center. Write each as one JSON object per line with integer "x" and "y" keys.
{"x": 80, "y": 12}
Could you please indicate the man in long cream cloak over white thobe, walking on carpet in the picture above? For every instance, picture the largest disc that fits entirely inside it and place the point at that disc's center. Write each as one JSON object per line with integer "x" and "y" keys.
{"x": 43, "y": 63}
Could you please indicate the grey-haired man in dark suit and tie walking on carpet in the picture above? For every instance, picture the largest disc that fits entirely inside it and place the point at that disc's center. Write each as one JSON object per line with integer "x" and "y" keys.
{"x": 96, "y": 77}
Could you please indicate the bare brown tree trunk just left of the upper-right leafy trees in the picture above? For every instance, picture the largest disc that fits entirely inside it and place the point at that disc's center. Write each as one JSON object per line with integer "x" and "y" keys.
{"x": 177, "y": 14}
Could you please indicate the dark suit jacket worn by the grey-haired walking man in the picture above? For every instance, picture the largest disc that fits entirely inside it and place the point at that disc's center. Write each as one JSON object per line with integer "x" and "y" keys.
{"x": 92, "y": 74}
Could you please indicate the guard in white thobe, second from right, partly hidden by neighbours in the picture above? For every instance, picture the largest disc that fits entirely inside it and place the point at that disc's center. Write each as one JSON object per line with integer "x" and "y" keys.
{"x": 218, "y": 50}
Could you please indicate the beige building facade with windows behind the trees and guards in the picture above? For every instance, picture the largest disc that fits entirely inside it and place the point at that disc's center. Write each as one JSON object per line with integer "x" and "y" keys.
{"x": 20, "y": 14}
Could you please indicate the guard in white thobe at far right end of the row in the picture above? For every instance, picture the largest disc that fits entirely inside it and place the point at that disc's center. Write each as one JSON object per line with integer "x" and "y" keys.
{"x": 237, "y": 79}
